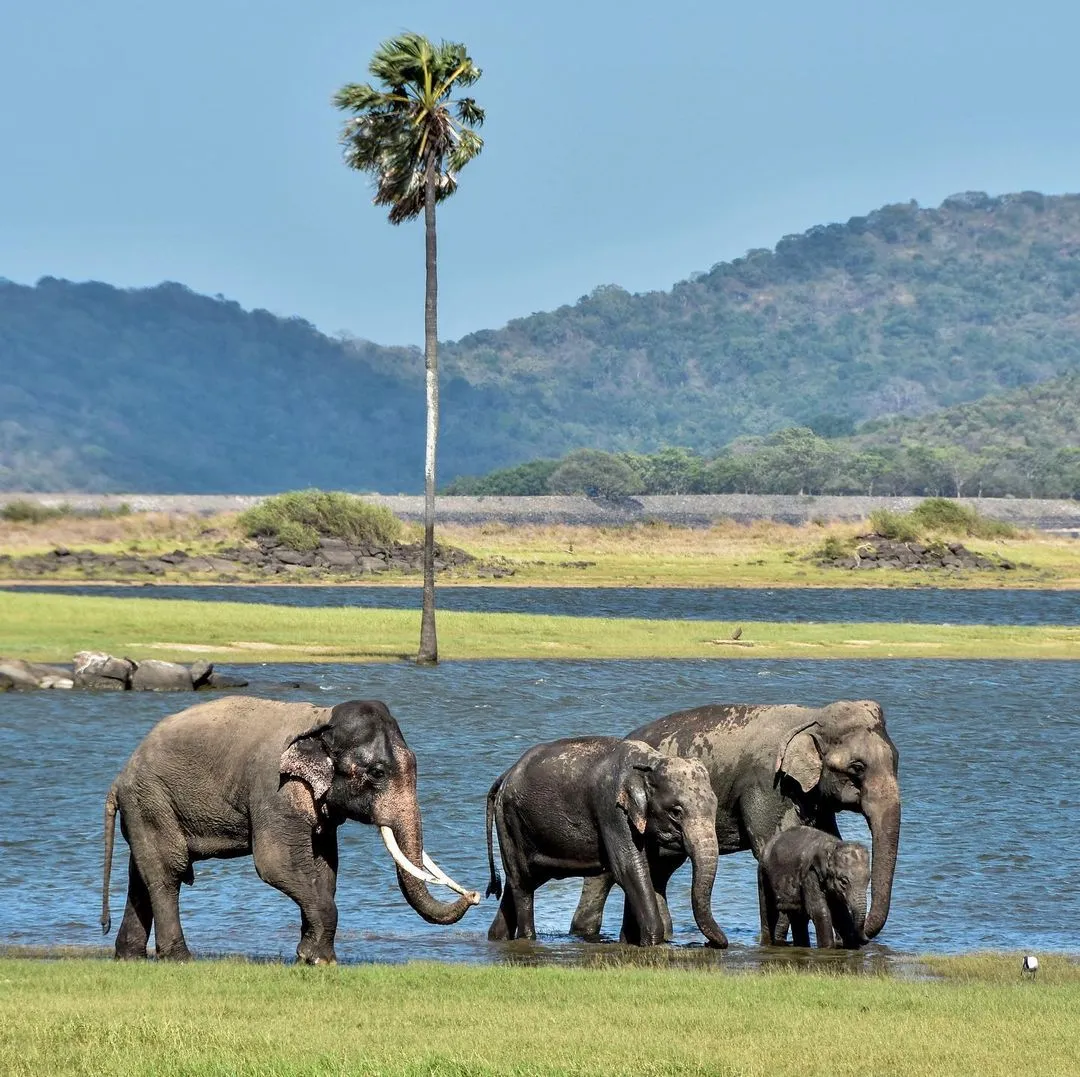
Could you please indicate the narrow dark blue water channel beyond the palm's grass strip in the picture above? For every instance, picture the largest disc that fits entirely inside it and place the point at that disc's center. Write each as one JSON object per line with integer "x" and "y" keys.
{"x": 919, "y": 605}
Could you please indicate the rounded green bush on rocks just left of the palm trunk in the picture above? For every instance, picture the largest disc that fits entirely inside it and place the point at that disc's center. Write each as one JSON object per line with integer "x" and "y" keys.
{"x": 301, "y": 518}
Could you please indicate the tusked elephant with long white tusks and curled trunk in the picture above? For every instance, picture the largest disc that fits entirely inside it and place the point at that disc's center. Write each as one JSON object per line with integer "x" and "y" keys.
{"x": 244, "y": 776}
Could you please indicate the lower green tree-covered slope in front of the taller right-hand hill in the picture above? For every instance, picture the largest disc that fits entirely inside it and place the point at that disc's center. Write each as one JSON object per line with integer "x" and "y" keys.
{"x": 1025, "y": 443}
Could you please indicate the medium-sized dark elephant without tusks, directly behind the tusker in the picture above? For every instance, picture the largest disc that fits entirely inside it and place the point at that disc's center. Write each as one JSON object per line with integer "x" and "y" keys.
{"x": 591, "y": 804}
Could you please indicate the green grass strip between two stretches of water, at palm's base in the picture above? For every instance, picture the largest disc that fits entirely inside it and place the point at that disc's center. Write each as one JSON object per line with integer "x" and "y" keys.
{"x": 52, "y": 628}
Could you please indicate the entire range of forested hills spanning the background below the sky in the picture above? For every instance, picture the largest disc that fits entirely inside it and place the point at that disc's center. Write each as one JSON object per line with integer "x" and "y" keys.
{"x": 835, "y": 339}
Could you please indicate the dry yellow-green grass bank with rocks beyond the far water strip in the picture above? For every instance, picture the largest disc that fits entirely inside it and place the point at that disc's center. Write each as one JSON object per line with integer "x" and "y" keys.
{"x": 646, "y": 555}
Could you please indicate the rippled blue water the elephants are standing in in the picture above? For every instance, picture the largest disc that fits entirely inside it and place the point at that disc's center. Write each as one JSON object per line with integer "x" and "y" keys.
{"x": 989, "y": 859}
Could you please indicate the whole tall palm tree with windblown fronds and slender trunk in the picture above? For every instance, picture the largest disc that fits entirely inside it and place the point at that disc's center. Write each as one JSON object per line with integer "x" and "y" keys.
{"x": 414, "y": 140}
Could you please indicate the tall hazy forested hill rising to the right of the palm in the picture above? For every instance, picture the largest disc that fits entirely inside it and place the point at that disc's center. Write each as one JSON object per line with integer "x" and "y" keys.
{"x": 897, "y": 313}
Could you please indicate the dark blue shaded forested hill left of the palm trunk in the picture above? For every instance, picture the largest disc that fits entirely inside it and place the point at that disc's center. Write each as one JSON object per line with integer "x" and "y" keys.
{"x": 165, "y": 391}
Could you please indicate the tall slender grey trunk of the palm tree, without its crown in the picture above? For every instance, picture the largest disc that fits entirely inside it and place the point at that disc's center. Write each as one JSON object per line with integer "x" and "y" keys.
{"x": 429, "y": 645}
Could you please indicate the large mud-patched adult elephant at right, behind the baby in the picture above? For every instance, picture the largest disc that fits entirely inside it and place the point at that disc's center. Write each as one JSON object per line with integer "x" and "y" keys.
{"x": 774, "y": 768}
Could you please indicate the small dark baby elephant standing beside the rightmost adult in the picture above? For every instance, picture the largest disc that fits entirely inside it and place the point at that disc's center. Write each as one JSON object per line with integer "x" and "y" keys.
{"x": 812, "y": 876}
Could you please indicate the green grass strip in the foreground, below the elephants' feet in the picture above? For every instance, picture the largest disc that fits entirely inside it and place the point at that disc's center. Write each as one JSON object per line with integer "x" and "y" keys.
{"x": 231, "y": 1018}
